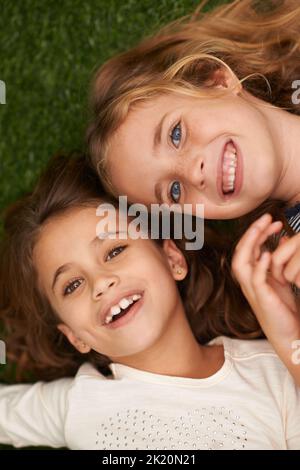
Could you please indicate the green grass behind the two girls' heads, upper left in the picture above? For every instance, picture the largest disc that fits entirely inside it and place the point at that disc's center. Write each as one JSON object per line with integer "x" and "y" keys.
{"x": 48, "y": 52}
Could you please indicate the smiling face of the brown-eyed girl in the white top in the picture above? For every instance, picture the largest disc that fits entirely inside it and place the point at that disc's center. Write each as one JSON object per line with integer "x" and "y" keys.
{"x": 83, "y": 276}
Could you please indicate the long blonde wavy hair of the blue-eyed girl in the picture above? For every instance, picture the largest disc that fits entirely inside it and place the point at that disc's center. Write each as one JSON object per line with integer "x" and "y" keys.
{"x": 258, "y": 42}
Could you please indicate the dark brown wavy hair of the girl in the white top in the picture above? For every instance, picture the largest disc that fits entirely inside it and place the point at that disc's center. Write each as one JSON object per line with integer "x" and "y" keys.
{"x": 213, "y": 302}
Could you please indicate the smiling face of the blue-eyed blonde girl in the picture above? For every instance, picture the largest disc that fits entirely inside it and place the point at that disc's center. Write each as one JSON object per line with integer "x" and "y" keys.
{"x": 172, "y": 149}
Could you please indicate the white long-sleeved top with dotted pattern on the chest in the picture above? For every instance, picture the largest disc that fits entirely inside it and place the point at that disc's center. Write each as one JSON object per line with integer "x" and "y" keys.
{"x": 250, "y": 403}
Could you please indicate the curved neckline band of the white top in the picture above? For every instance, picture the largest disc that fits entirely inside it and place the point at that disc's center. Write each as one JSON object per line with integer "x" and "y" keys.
{"x": 121, "y": 371}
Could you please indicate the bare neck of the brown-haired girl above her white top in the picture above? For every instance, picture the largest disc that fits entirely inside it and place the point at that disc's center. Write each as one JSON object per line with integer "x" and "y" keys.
{"x": 177, "y": 353}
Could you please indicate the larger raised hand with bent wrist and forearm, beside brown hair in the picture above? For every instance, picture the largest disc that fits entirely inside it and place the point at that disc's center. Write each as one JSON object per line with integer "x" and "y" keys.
{"x": 272, "y": 300}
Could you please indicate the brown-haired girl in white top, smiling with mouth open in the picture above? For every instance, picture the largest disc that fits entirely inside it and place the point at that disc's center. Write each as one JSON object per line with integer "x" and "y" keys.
{"x": 70, "y": 296}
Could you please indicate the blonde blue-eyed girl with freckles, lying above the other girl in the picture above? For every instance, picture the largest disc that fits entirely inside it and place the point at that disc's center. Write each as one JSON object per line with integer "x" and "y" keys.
{"x": 207, "y": 111}
